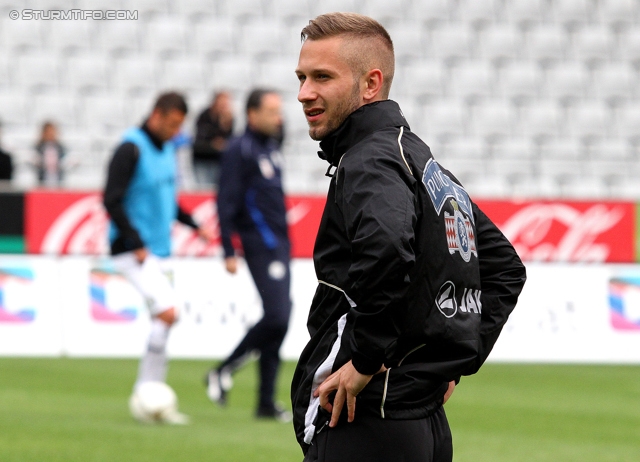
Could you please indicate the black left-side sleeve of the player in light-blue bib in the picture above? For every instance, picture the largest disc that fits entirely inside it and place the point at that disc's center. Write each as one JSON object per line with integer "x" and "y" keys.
{"x": 121, "y": 169}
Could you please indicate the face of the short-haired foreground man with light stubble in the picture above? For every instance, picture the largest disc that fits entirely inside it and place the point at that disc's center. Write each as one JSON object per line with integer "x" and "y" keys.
{"x": 329, "y": 92}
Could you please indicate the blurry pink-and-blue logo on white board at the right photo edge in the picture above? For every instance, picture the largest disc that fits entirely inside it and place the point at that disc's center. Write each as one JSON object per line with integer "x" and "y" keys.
{"x": 624, "y": 303}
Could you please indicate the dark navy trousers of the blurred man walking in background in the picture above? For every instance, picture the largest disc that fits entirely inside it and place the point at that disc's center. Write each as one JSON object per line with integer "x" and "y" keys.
{"x": 270, "y": 272}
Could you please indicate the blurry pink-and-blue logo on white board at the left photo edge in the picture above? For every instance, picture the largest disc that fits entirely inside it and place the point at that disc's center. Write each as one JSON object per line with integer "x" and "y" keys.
{"x": 15, "y": 295}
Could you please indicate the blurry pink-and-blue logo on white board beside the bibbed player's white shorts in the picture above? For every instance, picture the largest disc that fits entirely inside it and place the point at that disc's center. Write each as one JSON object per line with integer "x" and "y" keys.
{"x": 109, "y": 301}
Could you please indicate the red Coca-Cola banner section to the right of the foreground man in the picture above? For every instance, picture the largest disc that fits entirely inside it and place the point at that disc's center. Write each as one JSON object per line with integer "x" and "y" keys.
{"x": 567, "y": 231}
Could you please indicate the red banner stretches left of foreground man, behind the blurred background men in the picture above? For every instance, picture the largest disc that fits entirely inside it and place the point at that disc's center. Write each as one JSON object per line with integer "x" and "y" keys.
{"x": 75, "y": 223}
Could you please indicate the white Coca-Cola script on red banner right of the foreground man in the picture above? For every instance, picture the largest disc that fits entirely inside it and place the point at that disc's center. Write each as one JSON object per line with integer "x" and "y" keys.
{"x": 562, "y": 233}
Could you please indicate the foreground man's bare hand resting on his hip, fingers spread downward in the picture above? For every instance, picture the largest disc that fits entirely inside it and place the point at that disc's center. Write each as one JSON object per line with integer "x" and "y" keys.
{"x": 348, "y": 382}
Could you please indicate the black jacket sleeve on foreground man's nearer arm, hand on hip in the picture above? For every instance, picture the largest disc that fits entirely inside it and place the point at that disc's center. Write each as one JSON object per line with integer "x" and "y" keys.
{"x": 379, "y": 213}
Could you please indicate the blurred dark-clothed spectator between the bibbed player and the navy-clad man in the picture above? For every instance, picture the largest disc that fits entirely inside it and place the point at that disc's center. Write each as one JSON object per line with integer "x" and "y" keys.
{"x": 213, "y": 128}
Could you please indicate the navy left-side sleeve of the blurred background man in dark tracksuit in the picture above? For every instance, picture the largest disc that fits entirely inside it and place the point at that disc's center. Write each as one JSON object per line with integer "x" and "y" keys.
{"x": 230, "y": 195}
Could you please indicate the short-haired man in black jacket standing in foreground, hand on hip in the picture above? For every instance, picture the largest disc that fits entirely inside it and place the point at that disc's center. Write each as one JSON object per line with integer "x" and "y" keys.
{"x": 415, "y": 282}
